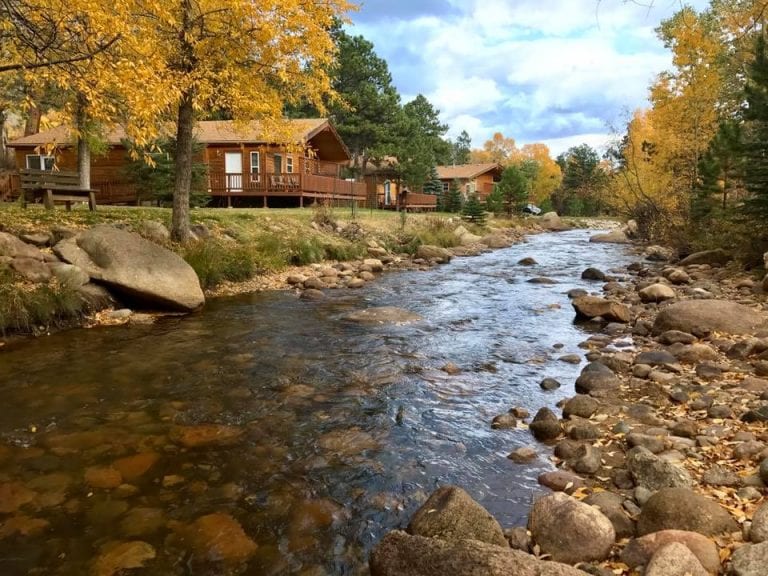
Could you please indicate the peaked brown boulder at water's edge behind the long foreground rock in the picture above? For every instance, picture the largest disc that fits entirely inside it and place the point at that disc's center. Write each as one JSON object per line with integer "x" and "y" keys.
{"x": 452, "y": 515}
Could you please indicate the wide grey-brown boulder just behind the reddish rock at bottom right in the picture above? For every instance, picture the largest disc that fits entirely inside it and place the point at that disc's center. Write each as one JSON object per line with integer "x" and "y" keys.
{"x": 683, "y": 509}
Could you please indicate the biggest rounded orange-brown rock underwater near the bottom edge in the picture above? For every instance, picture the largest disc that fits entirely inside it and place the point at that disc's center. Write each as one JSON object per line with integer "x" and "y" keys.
{"x": 218, "y": 537}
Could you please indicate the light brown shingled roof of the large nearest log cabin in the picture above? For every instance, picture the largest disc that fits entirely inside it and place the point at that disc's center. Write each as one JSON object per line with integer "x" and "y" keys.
{"x": 299, "y": 130}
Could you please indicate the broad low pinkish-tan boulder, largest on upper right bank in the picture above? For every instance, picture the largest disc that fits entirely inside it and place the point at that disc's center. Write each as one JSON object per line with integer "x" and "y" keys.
{"x": 702, "y": 317}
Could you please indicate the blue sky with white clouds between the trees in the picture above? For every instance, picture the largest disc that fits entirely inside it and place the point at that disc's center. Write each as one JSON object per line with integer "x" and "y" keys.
{"x": 561, "y": 72}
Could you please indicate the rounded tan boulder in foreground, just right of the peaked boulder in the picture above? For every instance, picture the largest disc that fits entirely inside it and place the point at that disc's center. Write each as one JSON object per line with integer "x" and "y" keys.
{"x": 570, "y": 531}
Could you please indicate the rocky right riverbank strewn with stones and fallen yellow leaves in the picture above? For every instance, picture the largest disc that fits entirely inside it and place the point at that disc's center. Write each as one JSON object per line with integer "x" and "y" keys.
{"x": 661, "y": 453}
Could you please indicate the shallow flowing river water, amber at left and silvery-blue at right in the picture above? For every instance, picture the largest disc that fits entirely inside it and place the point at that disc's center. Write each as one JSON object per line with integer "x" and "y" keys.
{"x": 322, "y": 434}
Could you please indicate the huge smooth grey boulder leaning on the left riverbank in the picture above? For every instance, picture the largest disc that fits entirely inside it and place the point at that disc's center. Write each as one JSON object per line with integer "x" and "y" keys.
{"x": 140, "y": 271}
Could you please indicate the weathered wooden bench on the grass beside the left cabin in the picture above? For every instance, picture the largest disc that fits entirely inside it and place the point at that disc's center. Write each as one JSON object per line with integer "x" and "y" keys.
{"x": 50, "y": 186}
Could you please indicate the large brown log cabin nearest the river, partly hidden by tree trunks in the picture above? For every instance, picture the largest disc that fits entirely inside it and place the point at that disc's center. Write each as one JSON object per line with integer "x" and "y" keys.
{"x": 245, "y": 168}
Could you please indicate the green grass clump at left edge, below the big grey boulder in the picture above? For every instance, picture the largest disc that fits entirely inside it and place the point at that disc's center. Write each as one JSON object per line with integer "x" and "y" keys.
{"x": 26, "y": 308}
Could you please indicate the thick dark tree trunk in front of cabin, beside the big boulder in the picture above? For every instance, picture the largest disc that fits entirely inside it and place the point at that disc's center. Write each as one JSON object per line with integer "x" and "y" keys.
{"x": 183, "y": 175}
